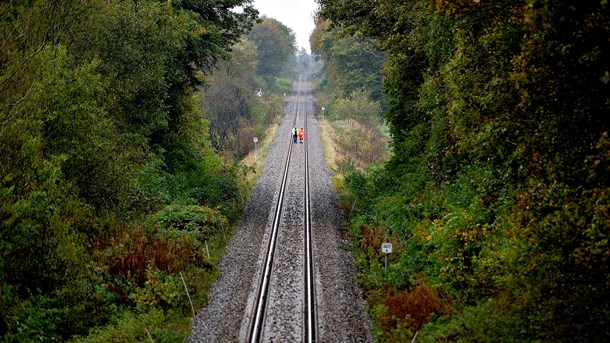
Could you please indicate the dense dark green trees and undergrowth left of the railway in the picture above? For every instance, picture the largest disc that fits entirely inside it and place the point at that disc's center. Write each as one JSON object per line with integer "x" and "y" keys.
{"x": 110, "y": 192}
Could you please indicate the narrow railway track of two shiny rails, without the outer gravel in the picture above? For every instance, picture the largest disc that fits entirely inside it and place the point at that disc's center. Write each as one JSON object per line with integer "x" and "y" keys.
{"x": 259, "y": 317}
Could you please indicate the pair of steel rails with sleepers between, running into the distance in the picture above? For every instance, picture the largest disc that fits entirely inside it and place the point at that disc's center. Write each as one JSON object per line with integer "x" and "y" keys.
{"x": 263, "y": 325}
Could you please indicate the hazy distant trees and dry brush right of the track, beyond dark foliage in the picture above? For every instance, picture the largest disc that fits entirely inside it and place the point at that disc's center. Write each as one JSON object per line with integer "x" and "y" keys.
{"x": 348, "y": 90}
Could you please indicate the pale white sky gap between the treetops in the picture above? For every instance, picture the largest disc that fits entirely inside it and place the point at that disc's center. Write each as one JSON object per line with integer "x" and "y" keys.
{"x": 296, "y": 14}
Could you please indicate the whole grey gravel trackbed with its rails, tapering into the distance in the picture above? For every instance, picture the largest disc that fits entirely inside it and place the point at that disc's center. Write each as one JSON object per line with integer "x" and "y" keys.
{"x": 272, "y": 286}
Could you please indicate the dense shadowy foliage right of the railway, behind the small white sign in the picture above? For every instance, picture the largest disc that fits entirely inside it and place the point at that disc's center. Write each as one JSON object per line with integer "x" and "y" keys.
{"x": 497, "y": 193}
